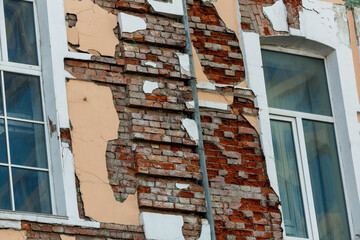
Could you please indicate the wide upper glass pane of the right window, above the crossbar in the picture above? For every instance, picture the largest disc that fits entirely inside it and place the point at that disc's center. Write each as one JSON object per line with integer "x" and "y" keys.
{"x": 296, "y": 83}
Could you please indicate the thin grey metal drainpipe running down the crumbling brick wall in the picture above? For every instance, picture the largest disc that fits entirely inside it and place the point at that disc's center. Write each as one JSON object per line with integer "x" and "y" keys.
{"x": 196, "y": 117}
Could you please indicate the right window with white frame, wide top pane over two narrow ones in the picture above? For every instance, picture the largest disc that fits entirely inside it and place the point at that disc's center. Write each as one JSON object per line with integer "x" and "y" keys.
{"x": 305, "y": 148}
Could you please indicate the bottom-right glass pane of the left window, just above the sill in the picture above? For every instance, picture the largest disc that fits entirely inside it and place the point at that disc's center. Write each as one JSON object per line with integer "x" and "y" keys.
{"x": 31, "y": 191}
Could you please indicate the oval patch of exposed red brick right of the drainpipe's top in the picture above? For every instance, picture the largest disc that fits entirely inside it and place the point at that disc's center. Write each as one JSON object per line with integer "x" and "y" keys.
{"x": 218, "y": 48}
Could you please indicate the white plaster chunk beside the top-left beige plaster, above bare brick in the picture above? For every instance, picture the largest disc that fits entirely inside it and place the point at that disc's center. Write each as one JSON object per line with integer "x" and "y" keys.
{"x": 130, "y": 23}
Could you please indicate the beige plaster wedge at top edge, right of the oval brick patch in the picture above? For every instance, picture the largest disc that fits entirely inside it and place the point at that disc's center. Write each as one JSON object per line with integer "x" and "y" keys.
{"x": 227, "y": 11}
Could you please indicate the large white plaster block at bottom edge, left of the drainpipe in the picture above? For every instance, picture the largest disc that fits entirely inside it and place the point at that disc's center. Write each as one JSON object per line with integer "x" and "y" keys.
{"x": 162, "y": 226}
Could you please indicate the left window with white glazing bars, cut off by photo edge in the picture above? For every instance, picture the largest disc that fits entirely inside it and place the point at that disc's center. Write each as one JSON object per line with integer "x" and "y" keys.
{"x": 24, "y": 157}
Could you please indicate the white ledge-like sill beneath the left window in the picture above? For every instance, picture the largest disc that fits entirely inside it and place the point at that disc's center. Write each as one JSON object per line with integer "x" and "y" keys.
{"x": 13, "y": 220}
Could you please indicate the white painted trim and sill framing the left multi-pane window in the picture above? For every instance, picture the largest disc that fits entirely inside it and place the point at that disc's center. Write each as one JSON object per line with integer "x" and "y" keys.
{"x": 53, "y": 39}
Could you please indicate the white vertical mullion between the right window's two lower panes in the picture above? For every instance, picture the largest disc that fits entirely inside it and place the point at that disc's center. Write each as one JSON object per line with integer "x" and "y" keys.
{"x": 309, "y": 199}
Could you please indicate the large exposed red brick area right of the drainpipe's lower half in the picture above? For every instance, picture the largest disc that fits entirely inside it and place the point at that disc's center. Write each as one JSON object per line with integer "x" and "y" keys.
{"x": 243, "y": 201}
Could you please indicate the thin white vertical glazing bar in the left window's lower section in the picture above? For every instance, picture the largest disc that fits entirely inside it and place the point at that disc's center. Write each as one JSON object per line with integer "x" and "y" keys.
{"x": 7, "y": 142}
